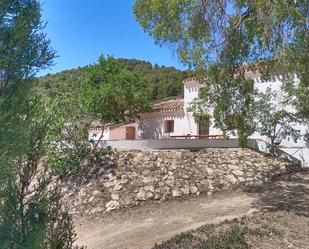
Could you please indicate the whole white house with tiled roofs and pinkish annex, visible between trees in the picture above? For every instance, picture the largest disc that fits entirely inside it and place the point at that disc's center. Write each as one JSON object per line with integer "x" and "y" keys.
{"x": 171, "y": 119}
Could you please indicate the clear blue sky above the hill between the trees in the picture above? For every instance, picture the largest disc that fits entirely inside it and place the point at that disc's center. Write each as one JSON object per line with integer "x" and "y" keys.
{"x": 81, "y": 30}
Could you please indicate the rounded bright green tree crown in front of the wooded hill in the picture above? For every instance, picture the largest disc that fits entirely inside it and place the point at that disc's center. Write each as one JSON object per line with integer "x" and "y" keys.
{"x": 112, "y": 94}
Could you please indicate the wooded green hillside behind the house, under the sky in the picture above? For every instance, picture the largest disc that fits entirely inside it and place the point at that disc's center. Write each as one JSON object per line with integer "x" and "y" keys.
{"x": 162, "y": 81}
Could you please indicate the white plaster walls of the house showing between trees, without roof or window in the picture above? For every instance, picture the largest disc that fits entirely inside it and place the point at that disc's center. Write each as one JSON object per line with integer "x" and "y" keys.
{"x": 151, "y": 125}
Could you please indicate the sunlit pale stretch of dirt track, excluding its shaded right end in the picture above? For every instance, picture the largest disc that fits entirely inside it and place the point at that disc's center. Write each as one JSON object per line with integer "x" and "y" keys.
{"x": 144, "y": 226}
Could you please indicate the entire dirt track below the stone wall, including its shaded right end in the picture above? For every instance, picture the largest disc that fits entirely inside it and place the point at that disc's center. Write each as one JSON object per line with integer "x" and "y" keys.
{"x": 152, "y": 223}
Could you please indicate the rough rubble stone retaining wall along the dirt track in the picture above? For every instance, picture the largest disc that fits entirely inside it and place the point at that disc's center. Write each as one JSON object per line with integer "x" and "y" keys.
{"x": 127, "y": 178}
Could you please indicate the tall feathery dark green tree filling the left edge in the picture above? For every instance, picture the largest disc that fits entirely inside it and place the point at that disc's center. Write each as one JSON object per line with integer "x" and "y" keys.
{"x": 31, "y": 212}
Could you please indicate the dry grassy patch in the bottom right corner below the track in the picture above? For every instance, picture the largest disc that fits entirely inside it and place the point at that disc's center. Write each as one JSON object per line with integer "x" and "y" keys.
{"x": 263, "y": 230}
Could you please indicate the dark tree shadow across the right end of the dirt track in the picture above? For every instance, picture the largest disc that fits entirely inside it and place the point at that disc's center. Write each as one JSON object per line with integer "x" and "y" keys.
{"x": 291, "y": 195}
